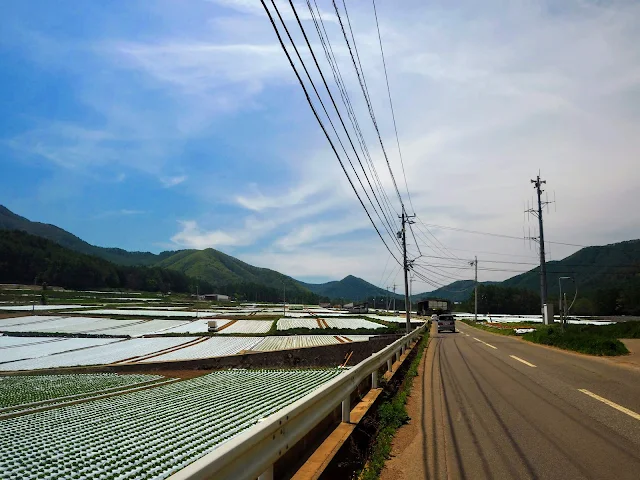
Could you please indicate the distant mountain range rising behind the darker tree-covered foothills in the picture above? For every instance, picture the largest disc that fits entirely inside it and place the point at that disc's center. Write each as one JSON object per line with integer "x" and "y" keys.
{"x": 592, "y": 266}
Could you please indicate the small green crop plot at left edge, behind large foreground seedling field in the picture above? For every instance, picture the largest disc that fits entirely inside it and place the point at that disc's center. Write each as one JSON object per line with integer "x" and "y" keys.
{"x": 20, "y": 390}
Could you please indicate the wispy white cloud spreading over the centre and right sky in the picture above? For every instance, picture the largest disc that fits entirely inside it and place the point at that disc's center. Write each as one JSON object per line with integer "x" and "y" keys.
{"x": 484, "y": 97}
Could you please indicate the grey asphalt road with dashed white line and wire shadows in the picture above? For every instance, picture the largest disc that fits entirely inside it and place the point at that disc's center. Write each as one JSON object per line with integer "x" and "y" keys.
{"x": 489, "y": 406}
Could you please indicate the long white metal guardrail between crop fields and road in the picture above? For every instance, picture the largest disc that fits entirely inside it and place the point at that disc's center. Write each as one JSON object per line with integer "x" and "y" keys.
{"x": 252, "y": 453}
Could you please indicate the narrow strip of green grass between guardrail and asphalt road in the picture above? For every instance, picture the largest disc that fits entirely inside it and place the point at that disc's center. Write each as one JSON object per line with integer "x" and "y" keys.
{"x": 392, "y": 414}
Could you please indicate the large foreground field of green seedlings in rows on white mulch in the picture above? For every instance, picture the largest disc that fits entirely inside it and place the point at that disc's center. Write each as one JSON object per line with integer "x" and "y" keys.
{"x": 150, "y": 433}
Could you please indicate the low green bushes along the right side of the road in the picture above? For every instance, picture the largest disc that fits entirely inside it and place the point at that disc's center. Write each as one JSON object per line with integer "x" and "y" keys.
{"x": 574, "y": 337}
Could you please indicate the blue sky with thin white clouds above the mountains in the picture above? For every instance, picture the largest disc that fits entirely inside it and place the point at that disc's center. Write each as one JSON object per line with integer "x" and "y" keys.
{"x": 179, "y": 124}
